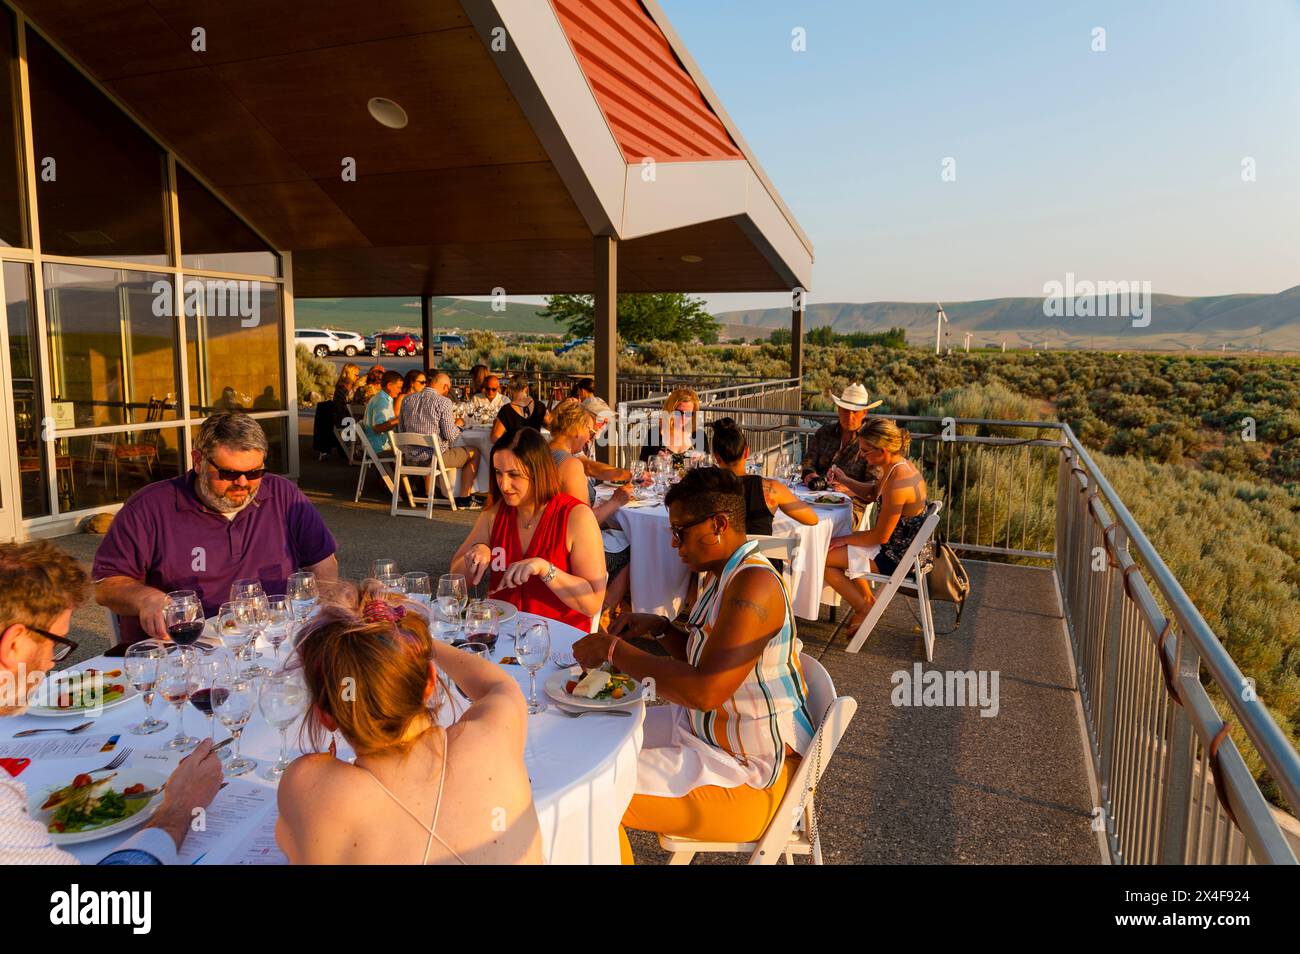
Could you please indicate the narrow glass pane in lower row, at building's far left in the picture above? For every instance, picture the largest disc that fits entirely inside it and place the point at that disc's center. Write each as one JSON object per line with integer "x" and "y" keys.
{"x": 24, "y": 365}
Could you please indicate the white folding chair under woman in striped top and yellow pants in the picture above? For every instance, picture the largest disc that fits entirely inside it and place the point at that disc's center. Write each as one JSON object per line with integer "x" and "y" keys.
{"x": 794, "y": 829}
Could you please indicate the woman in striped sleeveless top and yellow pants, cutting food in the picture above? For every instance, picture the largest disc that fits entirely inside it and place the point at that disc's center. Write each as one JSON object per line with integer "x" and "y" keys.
{"x": 716, "y": 764}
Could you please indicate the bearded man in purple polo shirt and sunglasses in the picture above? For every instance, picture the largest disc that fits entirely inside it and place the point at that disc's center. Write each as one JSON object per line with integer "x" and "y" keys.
{"x": 223, "y": 522}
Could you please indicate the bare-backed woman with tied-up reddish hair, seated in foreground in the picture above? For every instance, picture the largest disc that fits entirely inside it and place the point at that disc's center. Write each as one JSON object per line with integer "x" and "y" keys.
{"x": 417, "y": 793}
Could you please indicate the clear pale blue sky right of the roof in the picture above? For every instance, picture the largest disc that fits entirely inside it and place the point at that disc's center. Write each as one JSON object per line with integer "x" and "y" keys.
{"x": 1117, "y": 164}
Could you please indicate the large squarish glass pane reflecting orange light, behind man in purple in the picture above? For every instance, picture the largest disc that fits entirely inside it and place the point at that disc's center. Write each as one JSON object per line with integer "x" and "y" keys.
{"x": 112, "y": 345}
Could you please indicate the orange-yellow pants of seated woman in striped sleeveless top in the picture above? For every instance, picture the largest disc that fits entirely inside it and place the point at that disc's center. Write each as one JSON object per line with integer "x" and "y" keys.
{"x": 709, "y": 813}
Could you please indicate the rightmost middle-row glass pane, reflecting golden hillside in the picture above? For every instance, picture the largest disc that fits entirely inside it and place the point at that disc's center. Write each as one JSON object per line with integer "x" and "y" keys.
{"x": 236, "y": 345}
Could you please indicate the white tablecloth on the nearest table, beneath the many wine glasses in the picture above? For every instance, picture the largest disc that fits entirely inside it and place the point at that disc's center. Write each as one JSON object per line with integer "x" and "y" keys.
{"x": 583, "y": 771}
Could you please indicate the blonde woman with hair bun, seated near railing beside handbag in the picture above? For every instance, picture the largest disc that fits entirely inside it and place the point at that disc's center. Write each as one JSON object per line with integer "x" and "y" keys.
{"x": 902, "y": 513}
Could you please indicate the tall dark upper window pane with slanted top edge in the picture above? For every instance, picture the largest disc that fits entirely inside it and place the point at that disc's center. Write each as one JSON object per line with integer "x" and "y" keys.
{"x": 102, "y": 183}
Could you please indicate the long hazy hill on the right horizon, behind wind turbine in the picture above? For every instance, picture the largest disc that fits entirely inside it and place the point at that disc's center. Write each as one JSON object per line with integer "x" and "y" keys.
{"x": 1242, "y": 323}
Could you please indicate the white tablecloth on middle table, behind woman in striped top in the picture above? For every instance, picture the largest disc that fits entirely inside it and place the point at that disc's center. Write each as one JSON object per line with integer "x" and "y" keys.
{"x": 658, "y": 578}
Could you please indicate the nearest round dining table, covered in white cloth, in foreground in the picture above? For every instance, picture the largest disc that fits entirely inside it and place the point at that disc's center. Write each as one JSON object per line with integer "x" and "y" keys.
{"x": 583, "y": 771}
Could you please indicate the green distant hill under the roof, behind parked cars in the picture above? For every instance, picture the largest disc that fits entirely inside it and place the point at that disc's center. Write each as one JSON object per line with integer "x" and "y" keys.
{"x": 370, "y": 315}
